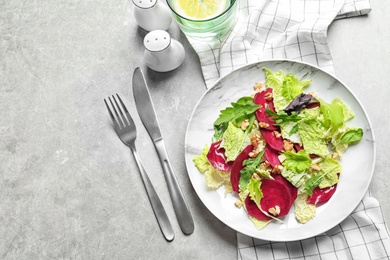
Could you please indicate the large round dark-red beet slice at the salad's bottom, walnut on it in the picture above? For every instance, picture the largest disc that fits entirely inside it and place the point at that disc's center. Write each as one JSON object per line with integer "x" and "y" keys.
{"x": 275, "y": 194}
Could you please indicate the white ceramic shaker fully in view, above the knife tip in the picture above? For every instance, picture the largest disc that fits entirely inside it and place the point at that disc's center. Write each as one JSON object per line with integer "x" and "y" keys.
{"x": 162, "y": 53}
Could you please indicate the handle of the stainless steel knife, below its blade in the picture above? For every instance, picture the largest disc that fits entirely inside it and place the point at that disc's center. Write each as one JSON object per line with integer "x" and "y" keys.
{"x": 180, "y": 206}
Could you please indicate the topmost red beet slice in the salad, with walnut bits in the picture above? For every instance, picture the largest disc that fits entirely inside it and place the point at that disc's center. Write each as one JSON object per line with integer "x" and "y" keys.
{"x": 261, "y": 113}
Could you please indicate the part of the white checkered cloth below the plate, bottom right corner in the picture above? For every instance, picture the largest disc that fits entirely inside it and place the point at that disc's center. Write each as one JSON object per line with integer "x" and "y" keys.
{"x": 362, "y": 235}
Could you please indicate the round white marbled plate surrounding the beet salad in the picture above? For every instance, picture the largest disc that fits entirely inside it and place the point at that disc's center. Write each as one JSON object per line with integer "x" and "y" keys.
{"x": 358, "y": 161}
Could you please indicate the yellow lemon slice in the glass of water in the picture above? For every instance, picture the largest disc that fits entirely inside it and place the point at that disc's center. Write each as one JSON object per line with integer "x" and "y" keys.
{"x": 200, "y": 9}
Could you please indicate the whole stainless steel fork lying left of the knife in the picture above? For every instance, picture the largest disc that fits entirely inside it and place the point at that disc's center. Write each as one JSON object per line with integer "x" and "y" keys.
{"x": 125, "y": 128}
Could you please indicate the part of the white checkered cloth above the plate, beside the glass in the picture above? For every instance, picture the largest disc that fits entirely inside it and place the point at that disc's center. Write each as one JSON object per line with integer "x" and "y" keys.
{"x": 273, "y": 29}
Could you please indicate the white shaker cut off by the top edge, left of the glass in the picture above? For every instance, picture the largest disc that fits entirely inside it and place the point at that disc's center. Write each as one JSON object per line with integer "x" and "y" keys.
{"x": 152, "y": 15}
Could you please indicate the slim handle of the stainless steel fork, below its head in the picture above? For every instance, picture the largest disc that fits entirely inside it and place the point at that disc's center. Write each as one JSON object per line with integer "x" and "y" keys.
{"x": 158, "y": 208}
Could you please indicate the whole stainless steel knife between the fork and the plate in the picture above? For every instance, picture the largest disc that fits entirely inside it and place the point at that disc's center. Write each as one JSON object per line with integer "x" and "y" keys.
{"x": 148, "y": 117}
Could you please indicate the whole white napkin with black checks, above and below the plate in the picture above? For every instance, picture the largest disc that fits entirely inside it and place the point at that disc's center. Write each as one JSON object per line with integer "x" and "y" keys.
{"x": 296, "y": 30}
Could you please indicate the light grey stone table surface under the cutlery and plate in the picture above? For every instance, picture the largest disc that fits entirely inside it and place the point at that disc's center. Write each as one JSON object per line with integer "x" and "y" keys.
{"x": 69, "y": 189}
